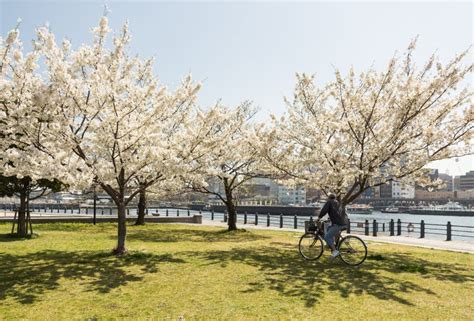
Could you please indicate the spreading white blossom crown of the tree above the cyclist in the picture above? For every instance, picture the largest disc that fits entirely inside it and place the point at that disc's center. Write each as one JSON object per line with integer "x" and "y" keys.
{"x": 362, "y": 131}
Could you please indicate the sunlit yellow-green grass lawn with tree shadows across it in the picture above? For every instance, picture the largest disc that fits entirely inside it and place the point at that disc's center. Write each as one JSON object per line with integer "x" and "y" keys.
{"x": 202, "y": 273}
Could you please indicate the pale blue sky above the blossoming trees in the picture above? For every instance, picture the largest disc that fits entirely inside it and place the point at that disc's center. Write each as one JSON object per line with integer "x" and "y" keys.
{"x": 252, "y": 50}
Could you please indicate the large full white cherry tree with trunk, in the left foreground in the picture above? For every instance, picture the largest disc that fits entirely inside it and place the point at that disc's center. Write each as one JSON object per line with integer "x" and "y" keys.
{"x": 118, "y": 124}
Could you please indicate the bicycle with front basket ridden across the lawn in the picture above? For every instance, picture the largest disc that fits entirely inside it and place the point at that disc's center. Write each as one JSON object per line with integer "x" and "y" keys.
{"x": 353, "y": 250}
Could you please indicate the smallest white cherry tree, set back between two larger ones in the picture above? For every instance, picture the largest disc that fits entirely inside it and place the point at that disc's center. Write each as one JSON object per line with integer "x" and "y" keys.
{"x": 221, "y": 151}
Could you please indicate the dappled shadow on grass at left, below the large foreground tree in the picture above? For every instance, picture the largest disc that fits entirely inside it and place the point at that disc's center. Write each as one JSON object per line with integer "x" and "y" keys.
{"x": 26, "y": 277}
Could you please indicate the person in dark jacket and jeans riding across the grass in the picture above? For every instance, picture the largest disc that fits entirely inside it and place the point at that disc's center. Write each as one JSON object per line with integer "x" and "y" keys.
{"x": 338, "y": 219}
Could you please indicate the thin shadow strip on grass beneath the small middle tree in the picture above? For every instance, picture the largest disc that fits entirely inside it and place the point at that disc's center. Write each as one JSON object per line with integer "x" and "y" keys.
{"x": 193, "y": 235}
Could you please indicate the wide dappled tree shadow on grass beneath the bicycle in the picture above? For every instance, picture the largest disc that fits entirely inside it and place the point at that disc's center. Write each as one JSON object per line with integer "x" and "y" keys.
{"x": 283, "y": 270}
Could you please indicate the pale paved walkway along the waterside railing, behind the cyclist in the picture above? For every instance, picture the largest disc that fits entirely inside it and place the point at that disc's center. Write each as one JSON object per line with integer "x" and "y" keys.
{"x": 456, "y": 246}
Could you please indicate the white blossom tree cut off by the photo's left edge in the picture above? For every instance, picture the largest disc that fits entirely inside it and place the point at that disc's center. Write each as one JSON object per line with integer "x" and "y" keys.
{"x": 25, "y": 163}
